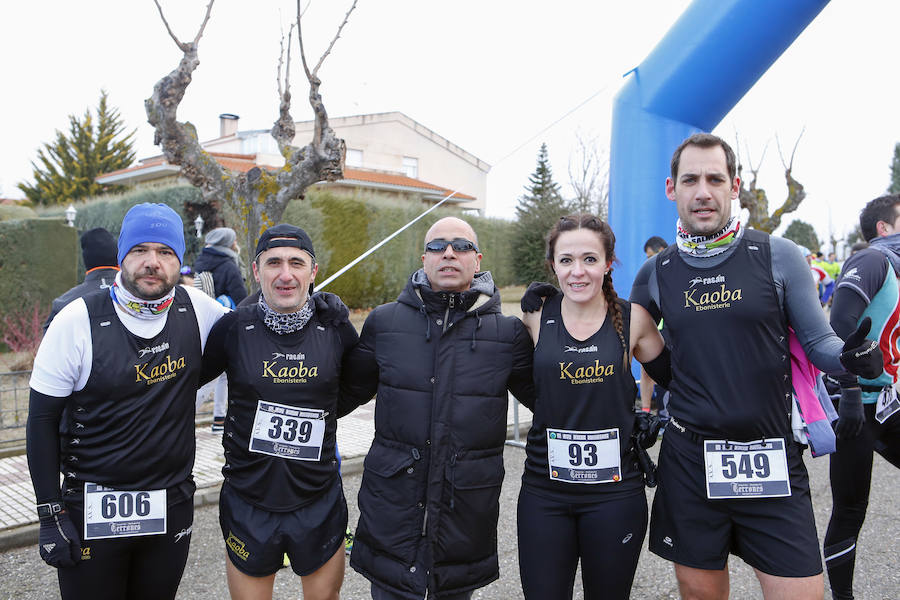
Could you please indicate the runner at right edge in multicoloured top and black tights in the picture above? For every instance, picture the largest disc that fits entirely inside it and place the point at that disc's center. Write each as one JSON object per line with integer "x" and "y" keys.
{"x": 869, "y": 417}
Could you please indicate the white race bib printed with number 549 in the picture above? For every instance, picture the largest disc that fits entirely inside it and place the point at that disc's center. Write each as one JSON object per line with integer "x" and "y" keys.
{"x": 755, "y": 469}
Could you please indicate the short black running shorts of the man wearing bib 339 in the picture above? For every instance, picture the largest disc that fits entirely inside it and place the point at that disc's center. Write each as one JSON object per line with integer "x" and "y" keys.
{"x": 257, "y": 539}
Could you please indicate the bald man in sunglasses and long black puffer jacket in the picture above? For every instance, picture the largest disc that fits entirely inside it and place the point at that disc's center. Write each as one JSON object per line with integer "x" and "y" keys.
{"x": 441, "y": 358}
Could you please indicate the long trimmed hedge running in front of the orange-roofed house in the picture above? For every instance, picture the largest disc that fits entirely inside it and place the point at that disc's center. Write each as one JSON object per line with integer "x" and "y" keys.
{"x": 341, "y": 228}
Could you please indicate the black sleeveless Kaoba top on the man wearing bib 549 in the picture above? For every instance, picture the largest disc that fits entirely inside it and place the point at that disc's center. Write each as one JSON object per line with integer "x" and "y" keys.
{"x": 731, "y": 371}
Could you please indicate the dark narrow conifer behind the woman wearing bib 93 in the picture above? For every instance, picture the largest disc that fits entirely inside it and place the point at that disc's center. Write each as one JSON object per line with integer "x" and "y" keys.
{"x": 538, "y": 210}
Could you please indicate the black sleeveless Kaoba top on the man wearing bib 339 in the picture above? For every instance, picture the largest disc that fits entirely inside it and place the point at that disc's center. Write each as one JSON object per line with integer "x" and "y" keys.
{"x": 300, "y": 369}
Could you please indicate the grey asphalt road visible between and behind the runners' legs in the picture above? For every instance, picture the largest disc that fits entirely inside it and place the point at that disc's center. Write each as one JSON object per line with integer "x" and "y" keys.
{"x": 24, "y": 577}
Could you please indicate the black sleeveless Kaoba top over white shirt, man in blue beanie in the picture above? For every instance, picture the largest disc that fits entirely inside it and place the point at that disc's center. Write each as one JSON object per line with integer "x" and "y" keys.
{"x": 132, "y": 426}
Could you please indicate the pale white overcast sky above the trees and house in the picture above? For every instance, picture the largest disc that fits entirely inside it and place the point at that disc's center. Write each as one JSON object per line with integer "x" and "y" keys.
{"x": 486, "y": 75}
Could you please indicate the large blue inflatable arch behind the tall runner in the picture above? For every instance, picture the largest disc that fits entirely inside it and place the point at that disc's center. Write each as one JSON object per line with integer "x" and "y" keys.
{"x": 704, "y": 65}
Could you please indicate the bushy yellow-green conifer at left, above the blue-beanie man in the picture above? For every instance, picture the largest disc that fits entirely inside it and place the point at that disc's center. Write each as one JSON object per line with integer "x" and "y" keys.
{"x": 67, "y": 168}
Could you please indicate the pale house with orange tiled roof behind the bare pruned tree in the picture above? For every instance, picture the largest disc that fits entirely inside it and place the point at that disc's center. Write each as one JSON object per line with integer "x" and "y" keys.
{"x": 387, "y": 153}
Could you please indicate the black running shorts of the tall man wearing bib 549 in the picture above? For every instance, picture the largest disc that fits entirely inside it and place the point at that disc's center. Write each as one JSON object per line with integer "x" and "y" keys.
{"x": 775, "y": 535}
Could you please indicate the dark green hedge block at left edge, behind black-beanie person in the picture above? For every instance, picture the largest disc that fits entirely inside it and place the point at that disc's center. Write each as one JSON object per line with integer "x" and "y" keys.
{"x": 38, "y": 262}
